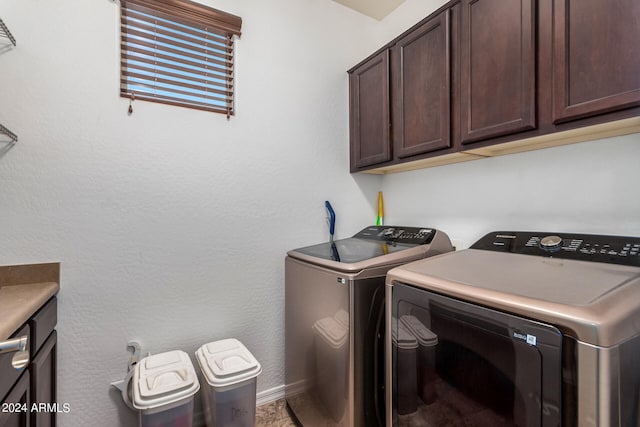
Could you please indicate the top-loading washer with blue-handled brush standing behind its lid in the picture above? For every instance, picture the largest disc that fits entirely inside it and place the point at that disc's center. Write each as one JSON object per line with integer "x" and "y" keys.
{"x": 334, "y": 322}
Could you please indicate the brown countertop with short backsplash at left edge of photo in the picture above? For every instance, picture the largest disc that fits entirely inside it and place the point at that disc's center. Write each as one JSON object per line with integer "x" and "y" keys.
{"x": 23, "y": 290}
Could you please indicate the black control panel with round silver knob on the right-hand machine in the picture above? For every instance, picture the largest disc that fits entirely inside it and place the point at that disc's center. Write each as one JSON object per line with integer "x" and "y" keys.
{"x": 585, "y": 247}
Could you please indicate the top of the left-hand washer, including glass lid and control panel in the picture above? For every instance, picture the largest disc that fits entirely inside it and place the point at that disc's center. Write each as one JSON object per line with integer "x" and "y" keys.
{"x": 375, "y": 246}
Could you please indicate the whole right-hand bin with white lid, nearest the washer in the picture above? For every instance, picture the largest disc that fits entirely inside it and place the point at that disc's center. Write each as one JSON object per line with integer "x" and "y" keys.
{"x": 230, "y": 372}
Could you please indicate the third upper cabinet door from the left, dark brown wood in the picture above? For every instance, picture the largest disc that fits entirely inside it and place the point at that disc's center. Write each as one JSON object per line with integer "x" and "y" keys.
{"x": 498, "y": 78}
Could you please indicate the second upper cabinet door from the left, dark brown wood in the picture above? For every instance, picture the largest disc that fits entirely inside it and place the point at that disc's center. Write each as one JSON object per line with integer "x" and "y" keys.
{"x": 422, "y": 89}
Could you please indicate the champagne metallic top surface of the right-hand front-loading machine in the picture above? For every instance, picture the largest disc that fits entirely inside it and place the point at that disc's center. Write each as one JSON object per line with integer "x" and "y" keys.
{"x": 595, "y": 301}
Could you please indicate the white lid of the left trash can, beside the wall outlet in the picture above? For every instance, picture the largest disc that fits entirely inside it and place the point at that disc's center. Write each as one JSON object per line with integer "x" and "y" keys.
{"x": 162, "y": 379}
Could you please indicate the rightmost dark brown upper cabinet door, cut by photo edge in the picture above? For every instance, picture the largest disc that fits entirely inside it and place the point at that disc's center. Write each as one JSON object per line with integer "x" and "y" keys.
{"x": 596, "y": 57}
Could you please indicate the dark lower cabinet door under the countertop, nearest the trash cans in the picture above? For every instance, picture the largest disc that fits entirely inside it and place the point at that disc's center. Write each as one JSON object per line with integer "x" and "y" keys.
{"x": 43, "y": 383}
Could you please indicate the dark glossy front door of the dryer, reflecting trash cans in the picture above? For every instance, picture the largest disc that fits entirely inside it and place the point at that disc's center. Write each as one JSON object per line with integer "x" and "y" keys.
{"x": 455, "y": 363}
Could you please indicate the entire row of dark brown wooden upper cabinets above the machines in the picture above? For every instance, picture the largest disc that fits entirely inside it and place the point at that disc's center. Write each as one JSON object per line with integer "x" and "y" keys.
{"x": 481, "y": 78}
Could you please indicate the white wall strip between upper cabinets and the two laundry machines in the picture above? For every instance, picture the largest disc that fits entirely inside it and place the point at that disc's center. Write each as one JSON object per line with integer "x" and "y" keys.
{"x": 590, "y": 187}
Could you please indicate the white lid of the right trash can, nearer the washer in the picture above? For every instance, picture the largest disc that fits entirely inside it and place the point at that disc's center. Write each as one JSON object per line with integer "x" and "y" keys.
{"x": 226, "y": 362}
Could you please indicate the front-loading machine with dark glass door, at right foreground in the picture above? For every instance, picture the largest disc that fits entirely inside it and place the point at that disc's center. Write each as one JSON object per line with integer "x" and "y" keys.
{"x": 525, "y": 328}
